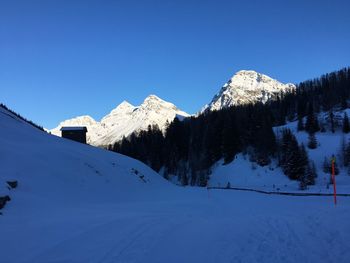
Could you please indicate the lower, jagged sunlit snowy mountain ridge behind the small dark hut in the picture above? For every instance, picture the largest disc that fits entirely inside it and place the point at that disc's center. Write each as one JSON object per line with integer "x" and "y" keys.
{"x": 125, "y": 119}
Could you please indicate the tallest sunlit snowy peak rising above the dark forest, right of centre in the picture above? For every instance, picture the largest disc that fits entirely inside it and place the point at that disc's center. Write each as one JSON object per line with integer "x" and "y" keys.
{"x": 245, "y": 87}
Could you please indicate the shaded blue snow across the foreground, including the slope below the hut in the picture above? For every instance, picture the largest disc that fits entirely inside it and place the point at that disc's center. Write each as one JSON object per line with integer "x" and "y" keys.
{"x": 76, "y": 203}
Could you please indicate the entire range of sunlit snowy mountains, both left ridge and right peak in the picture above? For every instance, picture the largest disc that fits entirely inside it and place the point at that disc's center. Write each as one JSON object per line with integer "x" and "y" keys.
{"x": 245, "y": 87}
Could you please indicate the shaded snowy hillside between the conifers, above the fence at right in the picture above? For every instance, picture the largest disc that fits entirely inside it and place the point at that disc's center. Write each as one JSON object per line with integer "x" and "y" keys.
{"x": 242, "y": 173}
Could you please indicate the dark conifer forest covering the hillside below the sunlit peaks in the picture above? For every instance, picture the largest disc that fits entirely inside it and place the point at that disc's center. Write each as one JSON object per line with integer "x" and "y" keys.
{"x": 190, "y": 147}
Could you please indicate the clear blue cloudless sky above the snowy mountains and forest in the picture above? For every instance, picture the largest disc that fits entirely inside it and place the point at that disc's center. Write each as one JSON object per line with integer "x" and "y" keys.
{"x": 61, "y": 59}
